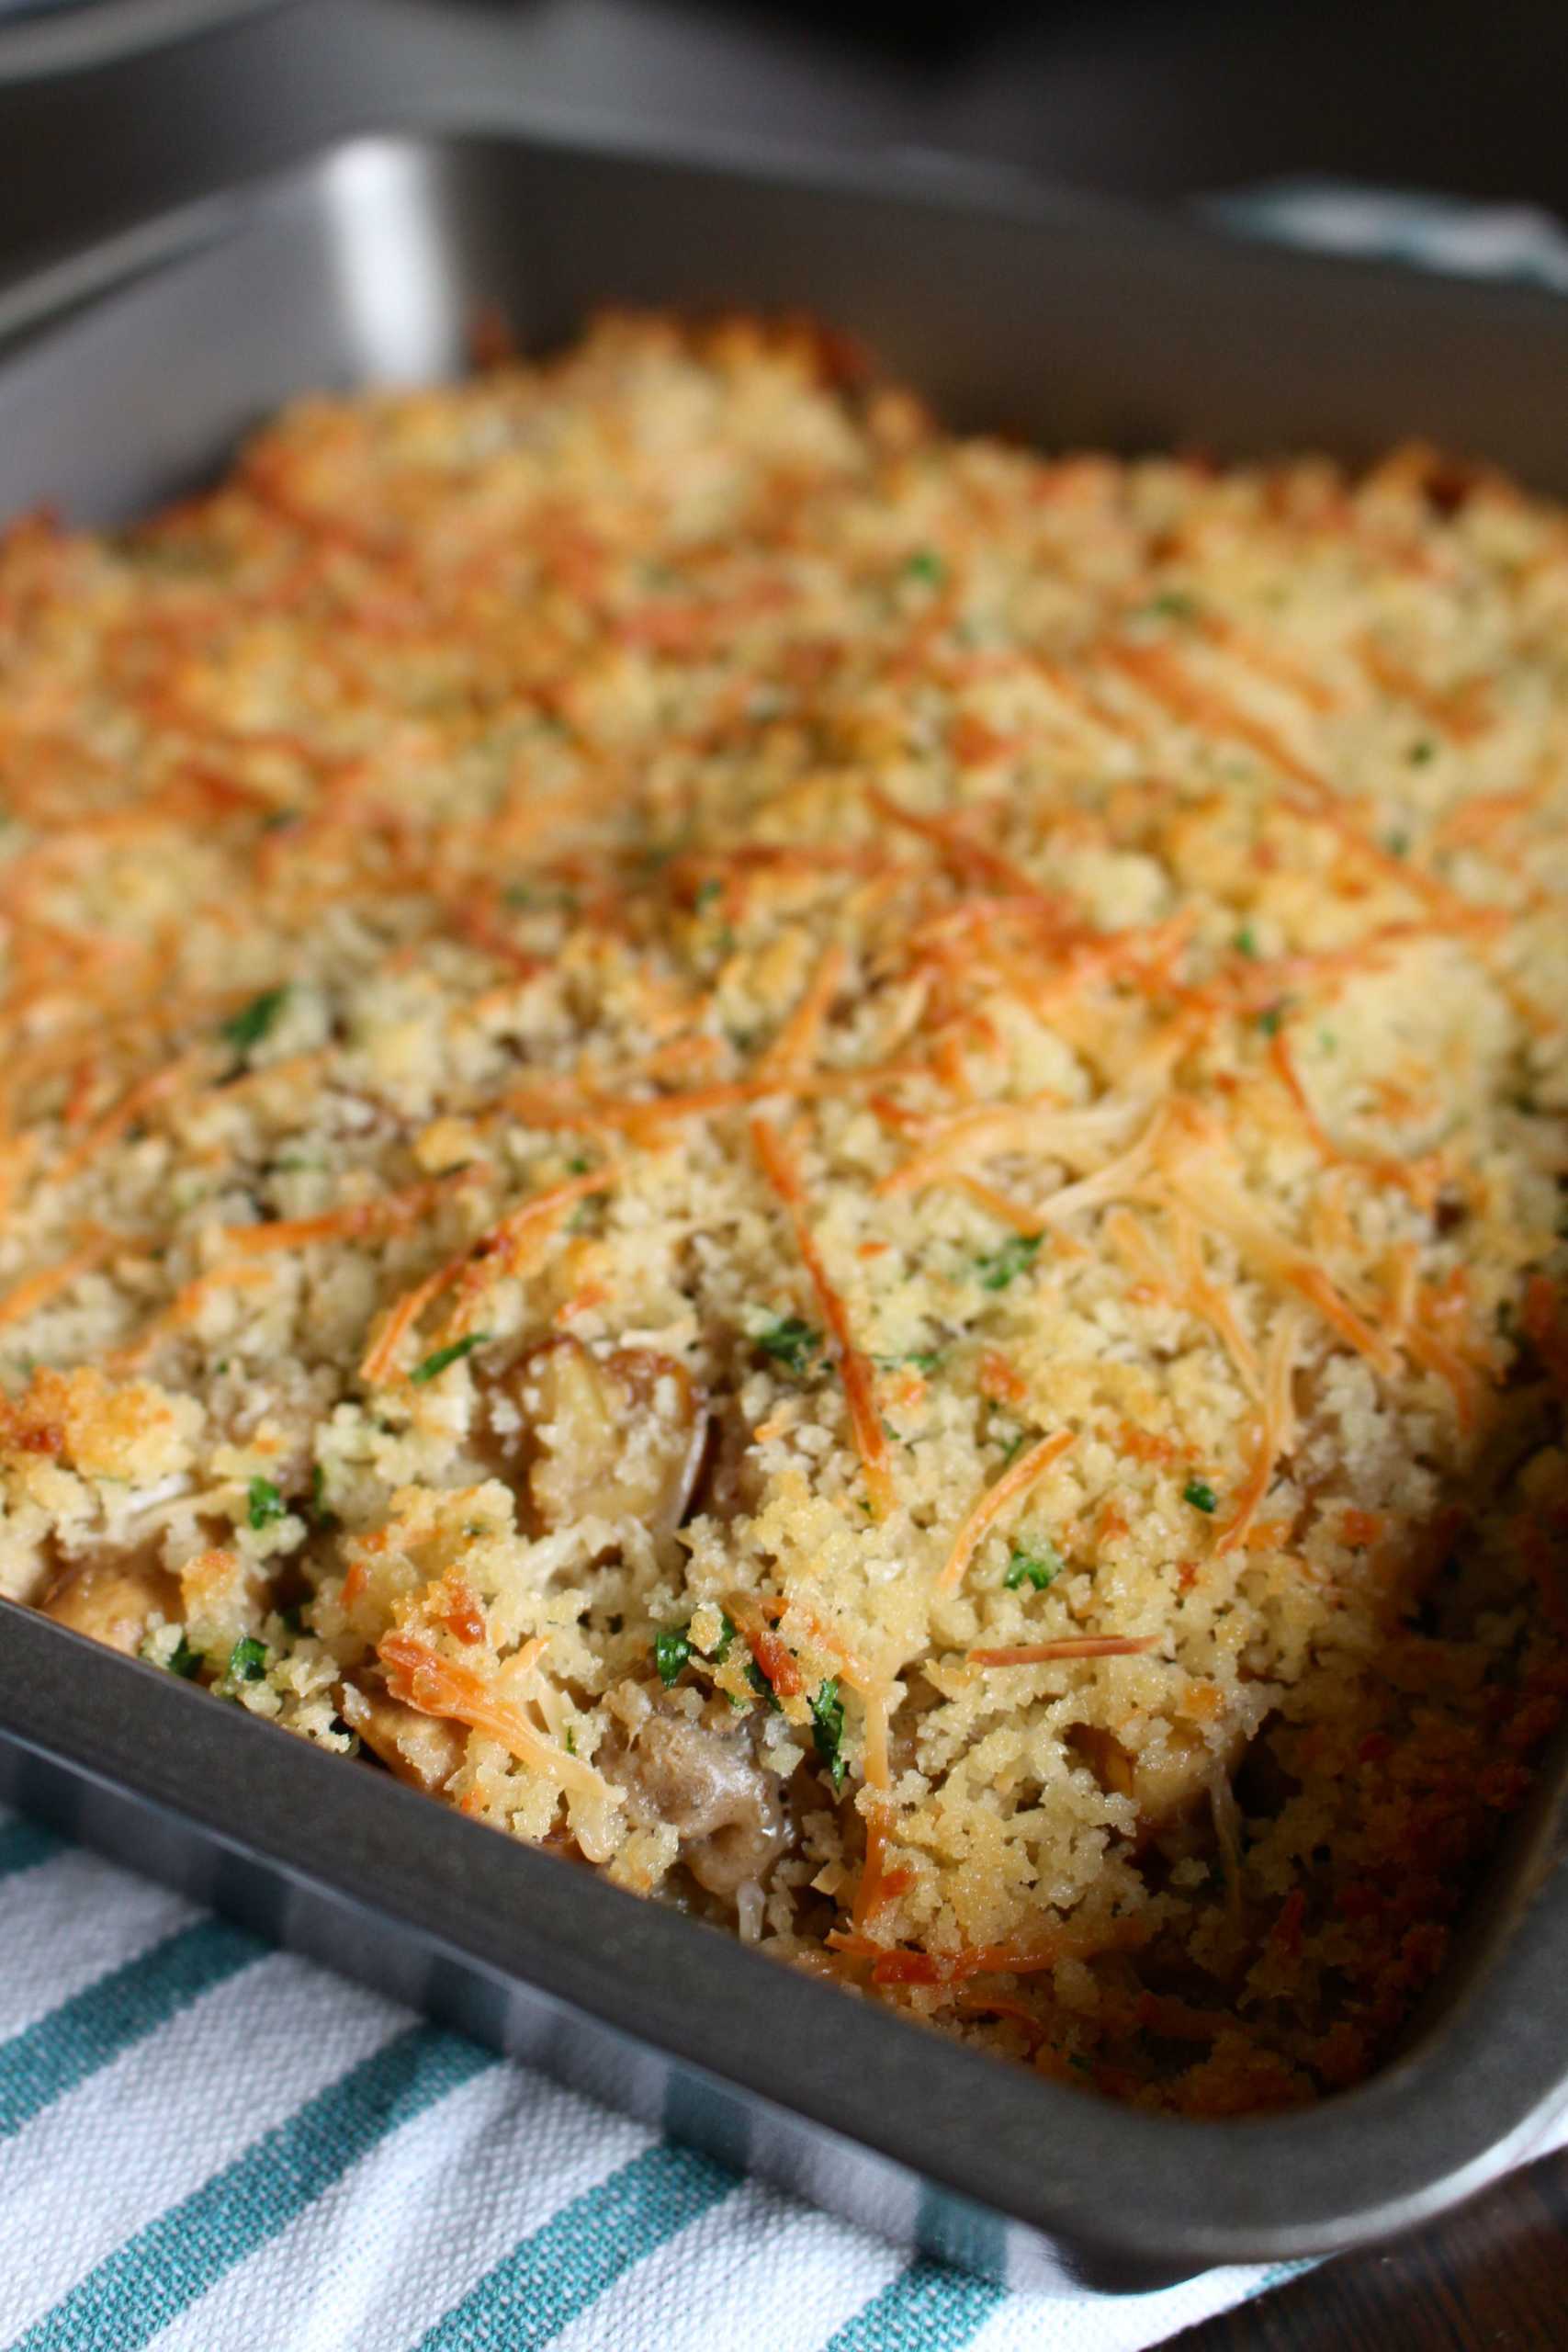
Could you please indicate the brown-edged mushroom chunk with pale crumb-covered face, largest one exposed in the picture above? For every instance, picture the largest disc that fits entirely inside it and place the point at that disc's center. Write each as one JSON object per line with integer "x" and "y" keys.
{"x": 619, "y": 1438}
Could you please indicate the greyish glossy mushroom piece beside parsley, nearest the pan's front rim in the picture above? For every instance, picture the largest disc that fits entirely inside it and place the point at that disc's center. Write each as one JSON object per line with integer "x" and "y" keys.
{"x": 713, "y": 1793}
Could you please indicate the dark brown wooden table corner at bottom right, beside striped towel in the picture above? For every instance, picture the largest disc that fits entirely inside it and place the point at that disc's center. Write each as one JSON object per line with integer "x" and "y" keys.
{"x": 1492, "y": 2278}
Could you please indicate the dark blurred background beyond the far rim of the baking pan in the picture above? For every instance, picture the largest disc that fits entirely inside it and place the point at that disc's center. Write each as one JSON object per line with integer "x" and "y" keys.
{"x": 121, "y": 107}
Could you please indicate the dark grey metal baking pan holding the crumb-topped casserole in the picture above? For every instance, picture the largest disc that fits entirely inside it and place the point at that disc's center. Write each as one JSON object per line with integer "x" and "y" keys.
{"x": 126, "y": 380}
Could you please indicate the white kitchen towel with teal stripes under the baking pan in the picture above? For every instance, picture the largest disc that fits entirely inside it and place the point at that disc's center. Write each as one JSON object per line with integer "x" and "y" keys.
{"x": 213, "y": 2146}
